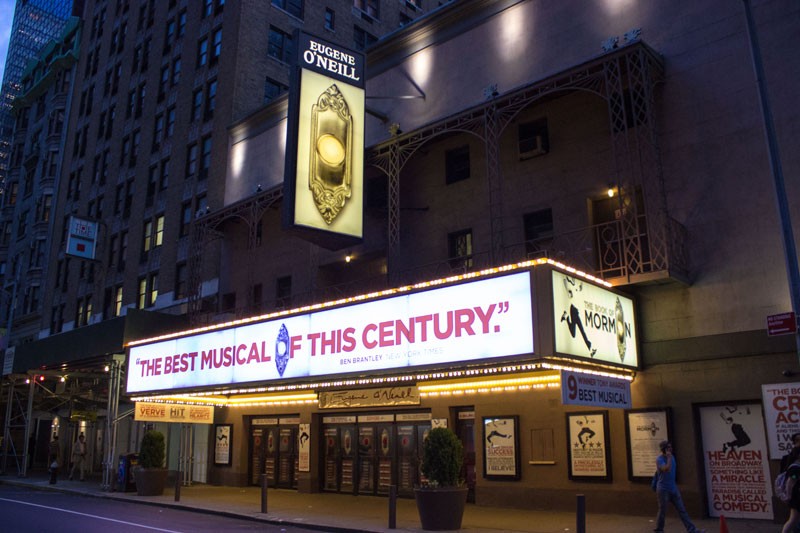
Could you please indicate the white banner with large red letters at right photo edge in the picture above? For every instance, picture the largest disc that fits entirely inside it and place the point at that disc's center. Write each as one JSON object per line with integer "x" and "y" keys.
{"x": 782, "y": 413}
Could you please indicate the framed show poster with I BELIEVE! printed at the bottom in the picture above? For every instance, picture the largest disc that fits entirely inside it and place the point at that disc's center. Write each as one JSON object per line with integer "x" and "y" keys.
{"x": 501, "y": 447}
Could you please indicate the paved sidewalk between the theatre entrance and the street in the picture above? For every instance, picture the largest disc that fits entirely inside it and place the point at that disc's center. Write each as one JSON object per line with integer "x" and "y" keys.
{"x": 344, "y": 513}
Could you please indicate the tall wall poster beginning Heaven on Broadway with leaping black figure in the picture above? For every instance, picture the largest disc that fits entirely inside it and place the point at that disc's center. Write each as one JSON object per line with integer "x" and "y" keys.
{"x": 738, "y": 481}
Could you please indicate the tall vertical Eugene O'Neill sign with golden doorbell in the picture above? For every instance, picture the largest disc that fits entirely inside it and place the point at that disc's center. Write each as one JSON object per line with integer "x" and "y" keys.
{"x": 324, "y": 181}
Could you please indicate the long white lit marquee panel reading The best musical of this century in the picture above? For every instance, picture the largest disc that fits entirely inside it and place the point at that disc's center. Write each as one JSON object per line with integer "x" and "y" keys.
{"x": 484, "y": 319}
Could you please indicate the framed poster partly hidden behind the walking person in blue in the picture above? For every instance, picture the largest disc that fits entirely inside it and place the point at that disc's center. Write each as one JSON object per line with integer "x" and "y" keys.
{"x": 644, "y": 429}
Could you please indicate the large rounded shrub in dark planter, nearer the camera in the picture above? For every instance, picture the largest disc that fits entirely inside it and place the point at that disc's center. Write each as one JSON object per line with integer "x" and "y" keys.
{"x": 443, "y": 495}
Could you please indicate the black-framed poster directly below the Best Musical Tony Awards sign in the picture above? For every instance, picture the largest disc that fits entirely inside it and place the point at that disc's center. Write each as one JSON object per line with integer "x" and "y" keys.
{"x": 589, "y": 453}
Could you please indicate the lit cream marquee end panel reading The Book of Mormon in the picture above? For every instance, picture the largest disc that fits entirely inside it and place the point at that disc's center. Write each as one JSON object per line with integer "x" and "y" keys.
{"x": 592, "y": 322}
